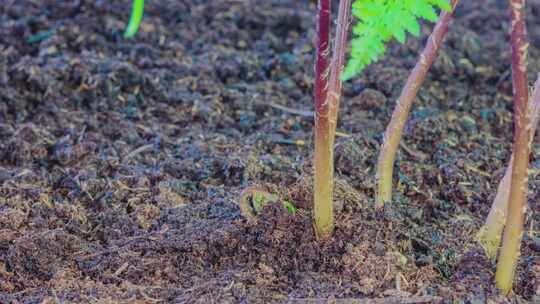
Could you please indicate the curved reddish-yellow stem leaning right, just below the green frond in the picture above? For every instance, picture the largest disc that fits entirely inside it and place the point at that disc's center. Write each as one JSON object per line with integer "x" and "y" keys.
{"x": 392, "y": 136}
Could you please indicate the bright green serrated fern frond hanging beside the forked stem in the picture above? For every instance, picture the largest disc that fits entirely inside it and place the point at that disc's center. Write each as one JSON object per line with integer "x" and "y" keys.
{"x": 381, "y": 20}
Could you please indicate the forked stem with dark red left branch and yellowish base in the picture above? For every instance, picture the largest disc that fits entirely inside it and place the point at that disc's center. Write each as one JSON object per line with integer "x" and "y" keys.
{"x": 327, "y": 98}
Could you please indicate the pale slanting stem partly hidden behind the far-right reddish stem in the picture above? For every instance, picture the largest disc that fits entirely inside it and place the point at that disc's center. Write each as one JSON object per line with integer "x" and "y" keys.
{"x": 489, "y": 235}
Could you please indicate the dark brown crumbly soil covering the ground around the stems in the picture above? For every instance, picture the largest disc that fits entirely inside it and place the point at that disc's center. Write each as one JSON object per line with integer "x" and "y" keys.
{"x": 121, "y": 162}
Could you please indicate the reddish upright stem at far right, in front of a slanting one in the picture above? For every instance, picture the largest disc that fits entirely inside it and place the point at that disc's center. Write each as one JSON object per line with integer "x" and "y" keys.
{"x": 517, "y": 206}
